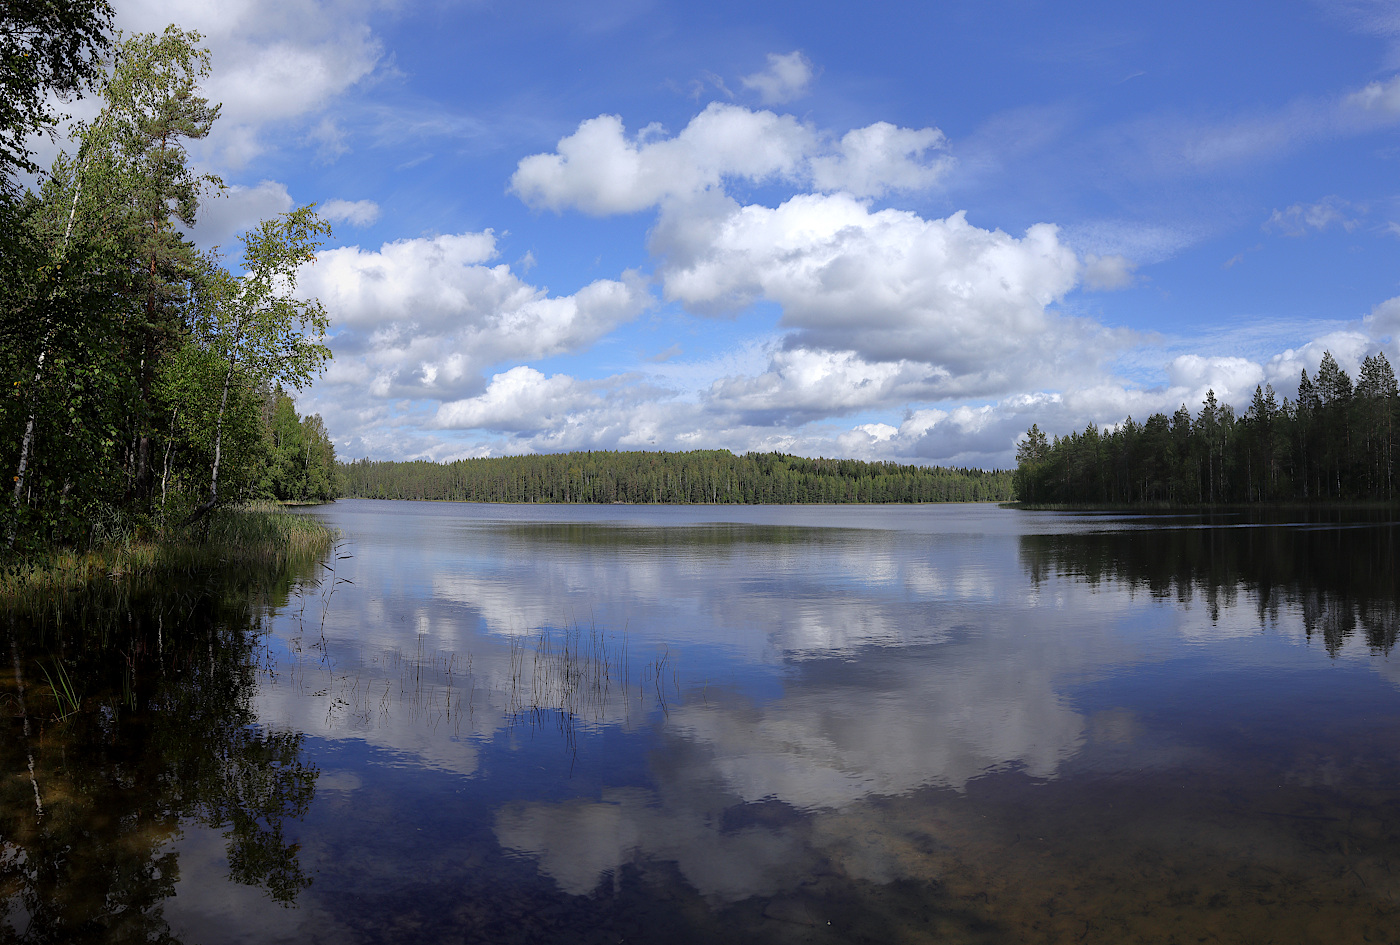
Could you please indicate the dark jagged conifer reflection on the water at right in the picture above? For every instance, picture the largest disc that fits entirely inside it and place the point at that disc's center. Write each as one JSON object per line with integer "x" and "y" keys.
{"x": 1342, "y": 575}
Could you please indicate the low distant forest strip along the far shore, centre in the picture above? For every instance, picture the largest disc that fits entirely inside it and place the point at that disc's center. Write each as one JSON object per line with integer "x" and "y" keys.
{"x": 715, "y": 477}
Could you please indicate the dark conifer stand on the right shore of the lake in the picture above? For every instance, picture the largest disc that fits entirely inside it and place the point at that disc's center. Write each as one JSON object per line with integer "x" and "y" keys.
{"x": 1338, "y": 442}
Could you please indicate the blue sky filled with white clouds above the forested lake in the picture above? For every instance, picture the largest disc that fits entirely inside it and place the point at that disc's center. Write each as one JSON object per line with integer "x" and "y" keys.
{"x": 888, "y": 232}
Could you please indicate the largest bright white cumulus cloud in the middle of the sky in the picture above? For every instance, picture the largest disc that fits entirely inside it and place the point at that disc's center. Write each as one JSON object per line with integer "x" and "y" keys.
{"x": 887, "y": 285}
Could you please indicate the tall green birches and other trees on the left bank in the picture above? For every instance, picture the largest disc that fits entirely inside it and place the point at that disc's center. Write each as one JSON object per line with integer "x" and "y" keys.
{"x": 145, "y": 380}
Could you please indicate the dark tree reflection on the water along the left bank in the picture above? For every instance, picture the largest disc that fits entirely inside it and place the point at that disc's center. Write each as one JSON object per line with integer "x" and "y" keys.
{"x": 128, "y": 712}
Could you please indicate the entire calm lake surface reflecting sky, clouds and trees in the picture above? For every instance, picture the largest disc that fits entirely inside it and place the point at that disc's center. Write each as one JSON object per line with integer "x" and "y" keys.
{"x": 743, "y": 724}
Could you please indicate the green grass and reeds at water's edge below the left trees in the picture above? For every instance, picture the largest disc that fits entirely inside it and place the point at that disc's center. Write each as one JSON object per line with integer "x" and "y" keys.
{"x": 227, "y": 544}
